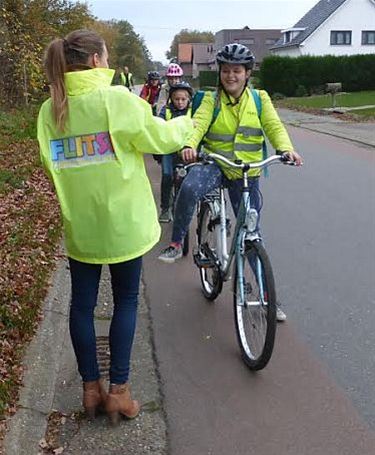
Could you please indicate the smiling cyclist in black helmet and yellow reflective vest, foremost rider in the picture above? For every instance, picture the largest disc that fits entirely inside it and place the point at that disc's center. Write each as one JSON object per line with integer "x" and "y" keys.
{"x": 236, "y": 133}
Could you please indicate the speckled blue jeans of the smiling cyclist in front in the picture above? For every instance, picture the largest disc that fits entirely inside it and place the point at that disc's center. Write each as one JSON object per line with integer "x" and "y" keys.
{"x": 200, "y": 181}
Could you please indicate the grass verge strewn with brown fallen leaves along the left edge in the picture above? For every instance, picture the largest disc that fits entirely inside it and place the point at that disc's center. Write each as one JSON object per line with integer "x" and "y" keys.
{"x": 30, "y": 230}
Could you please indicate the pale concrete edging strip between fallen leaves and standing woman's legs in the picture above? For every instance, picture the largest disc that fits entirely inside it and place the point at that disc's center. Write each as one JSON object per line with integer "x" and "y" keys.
{"x": 27, "y": 427}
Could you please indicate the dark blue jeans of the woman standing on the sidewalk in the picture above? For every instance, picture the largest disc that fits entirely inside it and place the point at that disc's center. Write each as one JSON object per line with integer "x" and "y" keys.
{"x": 125, "y": 277}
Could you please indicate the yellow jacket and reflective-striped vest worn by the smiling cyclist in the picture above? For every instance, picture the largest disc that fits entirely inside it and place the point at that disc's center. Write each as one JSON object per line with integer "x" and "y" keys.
{"x": 237, "y": 132}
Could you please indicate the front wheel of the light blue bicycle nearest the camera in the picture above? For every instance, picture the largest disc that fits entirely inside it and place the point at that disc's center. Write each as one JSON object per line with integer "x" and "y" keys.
{"x": 255, "y": 306}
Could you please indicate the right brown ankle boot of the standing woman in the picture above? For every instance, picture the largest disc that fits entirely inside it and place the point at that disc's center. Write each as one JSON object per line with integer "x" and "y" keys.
{"x": 119, "y": 402}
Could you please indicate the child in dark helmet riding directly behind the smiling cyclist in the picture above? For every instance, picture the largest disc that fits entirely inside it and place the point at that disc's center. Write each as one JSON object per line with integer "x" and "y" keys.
{"x": 178, "y": 103}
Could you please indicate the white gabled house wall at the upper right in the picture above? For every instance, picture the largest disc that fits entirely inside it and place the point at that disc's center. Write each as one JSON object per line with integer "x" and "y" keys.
{"x": 354, "y": 15}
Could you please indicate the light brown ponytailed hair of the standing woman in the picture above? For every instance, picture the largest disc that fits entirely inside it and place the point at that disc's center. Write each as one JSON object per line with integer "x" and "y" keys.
{"x": 68, "y": 54}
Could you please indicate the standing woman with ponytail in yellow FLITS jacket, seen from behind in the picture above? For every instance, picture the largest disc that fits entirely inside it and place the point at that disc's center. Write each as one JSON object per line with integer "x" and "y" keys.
{"x": 92, "y": 137}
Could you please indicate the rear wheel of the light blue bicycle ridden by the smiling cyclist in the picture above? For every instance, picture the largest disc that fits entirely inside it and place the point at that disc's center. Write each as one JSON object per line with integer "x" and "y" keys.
{"x": 206, "y": 259}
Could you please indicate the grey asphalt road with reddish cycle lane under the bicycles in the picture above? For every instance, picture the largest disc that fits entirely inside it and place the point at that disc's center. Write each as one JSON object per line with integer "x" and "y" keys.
{"x": 317, "y": 394}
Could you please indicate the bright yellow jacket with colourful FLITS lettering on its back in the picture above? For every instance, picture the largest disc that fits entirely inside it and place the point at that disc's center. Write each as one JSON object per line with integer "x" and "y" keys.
{"x": 97, "y": 166}
